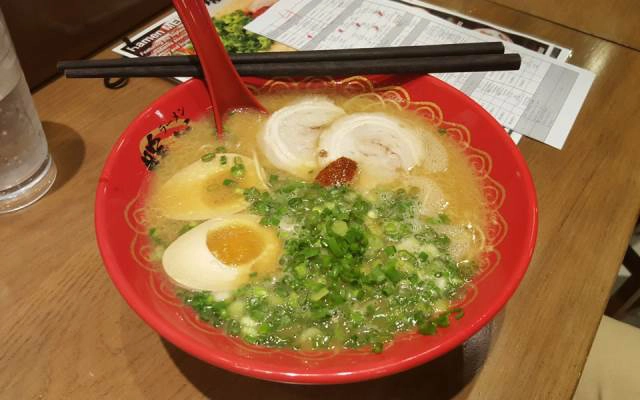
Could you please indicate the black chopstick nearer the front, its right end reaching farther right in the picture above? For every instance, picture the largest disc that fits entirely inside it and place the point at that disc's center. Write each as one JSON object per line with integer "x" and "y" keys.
{"x": 424, "y": 65}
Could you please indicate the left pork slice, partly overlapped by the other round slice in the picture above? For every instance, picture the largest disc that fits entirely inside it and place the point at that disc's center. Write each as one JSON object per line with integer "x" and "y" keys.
{"x": 290, "y": 137}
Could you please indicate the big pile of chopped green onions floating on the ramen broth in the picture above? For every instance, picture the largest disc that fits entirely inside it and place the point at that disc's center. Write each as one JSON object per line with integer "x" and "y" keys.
{"x": 344, "y": 281}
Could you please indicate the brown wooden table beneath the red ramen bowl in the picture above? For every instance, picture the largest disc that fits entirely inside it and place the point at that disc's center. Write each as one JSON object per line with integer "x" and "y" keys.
{"x": 66, "y": 332}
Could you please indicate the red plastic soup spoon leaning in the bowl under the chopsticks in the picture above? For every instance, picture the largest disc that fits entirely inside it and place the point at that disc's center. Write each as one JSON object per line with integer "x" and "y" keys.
{"x": 226, "y": 90}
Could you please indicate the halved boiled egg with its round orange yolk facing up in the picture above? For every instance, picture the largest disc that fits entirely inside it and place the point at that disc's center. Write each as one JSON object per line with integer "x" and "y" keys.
{"x": 220, "y": 254}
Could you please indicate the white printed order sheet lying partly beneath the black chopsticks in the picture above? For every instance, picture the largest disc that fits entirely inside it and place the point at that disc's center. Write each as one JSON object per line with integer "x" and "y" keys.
{"x": 541, "y": 100}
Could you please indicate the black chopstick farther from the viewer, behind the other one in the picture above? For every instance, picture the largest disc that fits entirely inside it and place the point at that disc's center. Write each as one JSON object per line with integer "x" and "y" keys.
{"x": 458, "y": 49}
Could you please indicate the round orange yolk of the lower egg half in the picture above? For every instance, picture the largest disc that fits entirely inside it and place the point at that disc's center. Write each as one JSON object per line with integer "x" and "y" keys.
{"x": 235, "y": 245}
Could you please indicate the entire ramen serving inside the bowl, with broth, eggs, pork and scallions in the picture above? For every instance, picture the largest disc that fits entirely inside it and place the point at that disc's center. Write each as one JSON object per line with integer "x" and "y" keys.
{"x": 329, "y": 223}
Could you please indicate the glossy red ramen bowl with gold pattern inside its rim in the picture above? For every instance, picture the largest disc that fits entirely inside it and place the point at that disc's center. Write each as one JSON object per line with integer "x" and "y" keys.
{"x": 126, "y": 251}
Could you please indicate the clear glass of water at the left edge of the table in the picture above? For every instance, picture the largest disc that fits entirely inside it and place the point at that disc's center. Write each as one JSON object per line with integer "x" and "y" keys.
{"x": 27, "y": 171}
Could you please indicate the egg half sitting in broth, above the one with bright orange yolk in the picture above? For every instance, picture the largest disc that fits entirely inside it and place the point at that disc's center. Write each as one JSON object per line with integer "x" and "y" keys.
{"x": 208, "y": 188}
